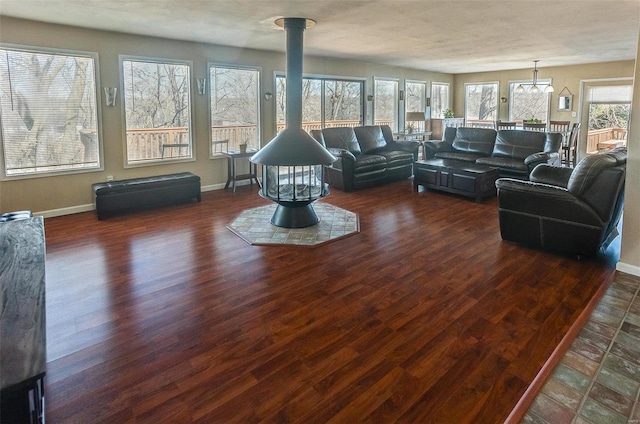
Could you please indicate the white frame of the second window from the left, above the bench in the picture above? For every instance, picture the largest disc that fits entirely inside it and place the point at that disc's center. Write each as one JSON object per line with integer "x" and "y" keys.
{"x": 191, "y": 93}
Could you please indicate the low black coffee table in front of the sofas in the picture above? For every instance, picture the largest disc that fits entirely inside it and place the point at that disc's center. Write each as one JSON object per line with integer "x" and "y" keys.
{"x": 454, "y": 176}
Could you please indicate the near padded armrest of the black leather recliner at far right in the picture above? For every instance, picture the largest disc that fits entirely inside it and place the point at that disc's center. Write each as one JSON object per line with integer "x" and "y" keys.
{"x": 544, "y": 200}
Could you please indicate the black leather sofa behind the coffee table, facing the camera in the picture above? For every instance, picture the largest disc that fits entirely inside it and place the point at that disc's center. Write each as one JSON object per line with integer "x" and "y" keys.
{"x": 514, "y": 152}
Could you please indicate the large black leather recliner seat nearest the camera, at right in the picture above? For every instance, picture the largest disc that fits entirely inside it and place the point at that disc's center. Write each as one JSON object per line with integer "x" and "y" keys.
{"x": 571, "y": 211}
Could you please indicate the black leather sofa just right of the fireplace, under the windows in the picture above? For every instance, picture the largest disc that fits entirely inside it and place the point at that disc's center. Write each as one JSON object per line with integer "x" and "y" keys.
{"x": 367, "y": 156}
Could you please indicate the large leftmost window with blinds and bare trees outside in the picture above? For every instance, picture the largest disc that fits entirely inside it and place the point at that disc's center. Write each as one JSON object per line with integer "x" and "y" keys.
{"x": 49, "y": 111}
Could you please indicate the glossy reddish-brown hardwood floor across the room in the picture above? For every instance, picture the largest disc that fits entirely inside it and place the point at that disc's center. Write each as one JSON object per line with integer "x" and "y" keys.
{"x": 425, "y": 316}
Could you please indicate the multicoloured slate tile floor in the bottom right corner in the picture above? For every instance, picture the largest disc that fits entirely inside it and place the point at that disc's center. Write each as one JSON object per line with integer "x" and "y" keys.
{"x": 598, "y": 380}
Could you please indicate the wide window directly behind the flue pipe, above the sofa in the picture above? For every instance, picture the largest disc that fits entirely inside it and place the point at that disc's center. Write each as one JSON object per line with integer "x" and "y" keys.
{"x": 326, "y": 102}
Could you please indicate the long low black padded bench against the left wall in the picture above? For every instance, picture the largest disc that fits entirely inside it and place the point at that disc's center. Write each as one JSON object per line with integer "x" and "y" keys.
{"x": 124, "y": 196}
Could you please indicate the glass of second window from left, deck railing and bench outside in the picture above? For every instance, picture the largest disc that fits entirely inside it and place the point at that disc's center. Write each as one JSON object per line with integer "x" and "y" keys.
{"x": 157, "y": 107}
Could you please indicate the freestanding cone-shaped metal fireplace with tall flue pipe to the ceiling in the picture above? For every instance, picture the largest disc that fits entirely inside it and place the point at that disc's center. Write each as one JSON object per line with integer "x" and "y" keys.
{"x": 293, "y": 162}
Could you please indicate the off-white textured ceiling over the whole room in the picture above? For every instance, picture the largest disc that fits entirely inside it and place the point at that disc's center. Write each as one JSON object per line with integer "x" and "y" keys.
{"x": 446, "y": 36}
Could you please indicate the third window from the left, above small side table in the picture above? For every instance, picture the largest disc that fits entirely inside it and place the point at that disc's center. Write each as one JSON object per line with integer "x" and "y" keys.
{"x": 235, "y": 107}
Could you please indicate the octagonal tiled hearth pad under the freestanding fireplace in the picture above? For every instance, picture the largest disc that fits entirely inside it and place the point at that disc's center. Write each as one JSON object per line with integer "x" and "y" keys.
{"x": 254, "y": 226}
